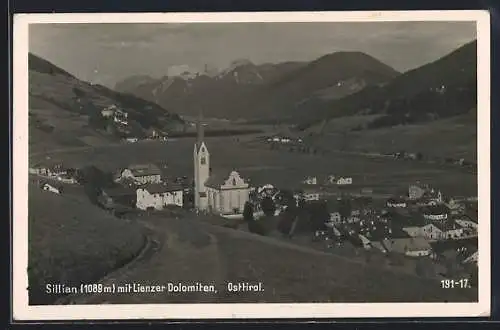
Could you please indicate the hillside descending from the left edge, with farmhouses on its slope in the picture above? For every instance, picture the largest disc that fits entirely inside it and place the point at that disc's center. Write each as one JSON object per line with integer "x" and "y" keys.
{"x": 66, "y": 111}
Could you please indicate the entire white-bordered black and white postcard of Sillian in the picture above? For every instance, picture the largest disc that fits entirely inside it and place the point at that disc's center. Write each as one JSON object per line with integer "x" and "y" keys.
{"x": 251, "y": 165}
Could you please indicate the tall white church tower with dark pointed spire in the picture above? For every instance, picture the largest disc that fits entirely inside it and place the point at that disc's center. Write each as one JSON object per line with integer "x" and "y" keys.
{"x": 201, "y": 158}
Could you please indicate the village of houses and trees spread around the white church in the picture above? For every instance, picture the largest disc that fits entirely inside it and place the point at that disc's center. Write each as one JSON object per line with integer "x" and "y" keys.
{"x": 419, "y": 230}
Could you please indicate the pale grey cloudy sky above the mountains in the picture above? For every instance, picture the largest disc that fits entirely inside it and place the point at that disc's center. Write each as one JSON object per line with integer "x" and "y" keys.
{"x": 108, "y": 53}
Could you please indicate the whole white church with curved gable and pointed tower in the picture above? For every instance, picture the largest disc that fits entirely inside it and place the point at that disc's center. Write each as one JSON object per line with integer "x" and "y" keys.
{"x": 221, "y": 193}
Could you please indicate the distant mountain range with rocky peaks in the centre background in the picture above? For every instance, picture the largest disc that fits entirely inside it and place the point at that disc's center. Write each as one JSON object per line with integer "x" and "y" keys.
{"x": 264, "y": 91}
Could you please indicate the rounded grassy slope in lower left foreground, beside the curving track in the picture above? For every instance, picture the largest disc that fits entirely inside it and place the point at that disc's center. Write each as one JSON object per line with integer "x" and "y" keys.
{"x": 73, "y": 242}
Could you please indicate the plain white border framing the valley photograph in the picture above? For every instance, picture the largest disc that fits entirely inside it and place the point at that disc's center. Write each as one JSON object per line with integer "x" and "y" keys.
{"x": 21, "y": 309}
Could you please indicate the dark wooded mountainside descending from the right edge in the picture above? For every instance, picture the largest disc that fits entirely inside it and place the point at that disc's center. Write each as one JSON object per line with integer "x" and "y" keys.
{"x": 440, "y": 89}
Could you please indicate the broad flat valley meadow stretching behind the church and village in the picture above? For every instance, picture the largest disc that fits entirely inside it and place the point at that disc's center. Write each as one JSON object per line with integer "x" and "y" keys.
{"x": 281, "y": 168}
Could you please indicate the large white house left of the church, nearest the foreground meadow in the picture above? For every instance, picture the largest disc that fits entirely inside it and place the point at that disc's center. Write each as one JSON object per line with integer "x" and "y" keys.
{"x": 159, "y": 195}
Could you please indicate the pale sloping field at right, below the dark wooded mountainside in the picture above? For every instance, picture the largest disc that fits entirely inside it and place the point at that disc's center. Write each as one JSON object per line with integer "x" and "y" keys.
{"x": 455, "y": 137}
